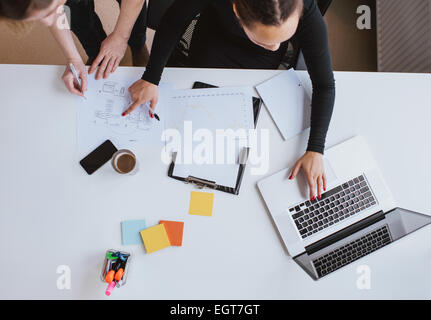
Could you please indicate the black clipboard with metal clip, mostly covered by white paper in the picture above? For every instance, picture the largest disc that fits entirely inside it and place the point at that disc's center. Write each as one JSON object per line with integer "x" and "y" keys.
{"x": 203, "y": 183}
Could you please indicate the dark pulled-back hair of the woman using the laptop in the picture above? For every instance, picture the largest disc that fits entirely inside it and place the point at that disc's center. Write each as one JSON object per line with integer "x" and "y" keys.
{"x": 267, "y": 12}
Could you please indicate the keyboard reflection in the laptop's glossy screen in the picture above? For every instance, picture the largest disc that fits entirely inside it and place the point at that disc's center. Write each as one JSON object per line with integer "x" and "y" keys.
{"x": 352, "y": 251}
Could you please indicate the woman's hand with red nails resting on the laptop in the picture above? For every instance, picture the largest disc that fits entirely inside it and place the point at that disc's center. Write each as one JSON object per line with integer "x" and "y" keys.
{"x": 312, "y": 164}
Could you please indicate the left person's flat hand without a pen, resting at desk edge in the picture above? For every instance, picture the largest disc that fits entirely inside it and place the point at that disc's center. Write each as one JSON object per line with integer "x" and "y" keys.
{"x": 111, "y": 53}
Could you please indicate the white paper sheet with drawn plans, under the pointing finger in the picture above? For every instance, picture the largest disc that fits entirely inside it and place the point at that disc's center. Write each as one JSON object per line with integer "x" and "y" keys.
{"x": 99, "y": 116}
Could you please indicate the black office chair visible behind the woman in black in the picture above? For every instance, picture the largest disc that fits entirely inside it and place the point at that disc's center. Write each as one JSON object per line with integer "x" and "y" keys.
{"x": 179, "y": 58}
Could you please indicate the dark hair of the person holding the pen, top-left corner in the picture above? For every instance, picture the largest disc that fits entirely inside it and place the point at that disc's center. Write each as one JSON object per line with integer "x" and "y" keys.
{"x": 19, "y": 9}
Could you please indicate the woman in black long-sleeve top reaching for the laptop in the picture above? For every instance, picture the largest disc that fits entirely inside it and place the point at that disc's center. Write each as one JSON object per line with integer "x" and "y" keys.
{"x": 251, "y": 34}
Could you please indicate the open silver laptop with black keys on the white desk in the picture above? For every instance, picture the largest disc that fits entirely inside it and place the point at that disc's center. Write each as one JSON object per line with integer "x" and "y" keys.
{"x": 356, "y": 216}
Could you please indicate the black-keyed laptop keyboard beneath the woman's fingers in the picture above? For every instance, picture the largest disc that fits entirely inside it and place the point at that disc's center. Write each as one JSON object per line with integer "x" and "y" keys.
{"x": 335, "y": 205}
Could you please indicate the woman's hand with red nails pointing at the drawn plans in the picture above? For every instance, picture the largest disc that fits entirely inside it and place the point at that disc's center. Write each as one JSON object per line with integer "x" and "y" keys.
{"x": 141, "y": 92}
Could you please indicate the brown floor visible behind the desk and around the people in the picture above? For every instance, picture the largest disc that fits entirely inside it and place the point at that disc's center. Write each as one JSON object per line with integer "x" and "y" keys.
{"x": 351, "y": 49}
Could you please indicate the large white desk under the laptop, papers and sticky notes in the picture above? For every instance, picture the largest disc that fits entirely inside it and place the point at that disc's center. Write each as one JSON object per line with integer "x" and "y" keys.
{"x": 52, "y": 213}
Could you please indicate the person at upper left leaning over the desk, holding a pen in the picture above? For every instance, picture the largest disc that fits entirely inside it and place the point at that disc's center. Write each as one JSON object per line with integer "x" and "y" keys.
{"x": 104, "y": 52}
